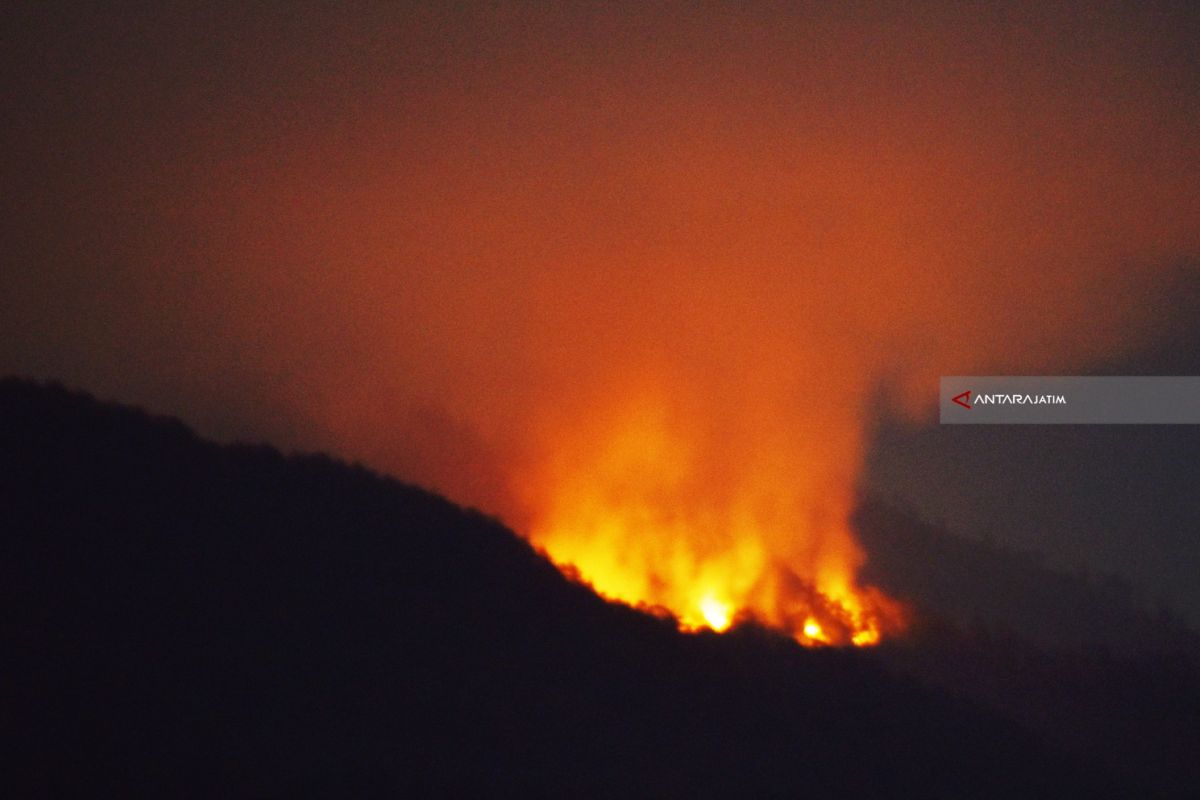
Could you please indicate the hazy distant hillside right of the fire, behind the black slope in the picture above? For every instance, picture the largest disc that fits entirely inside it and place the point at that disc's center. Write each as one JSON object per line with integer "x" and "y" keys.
{"x": 1073, "y": 658}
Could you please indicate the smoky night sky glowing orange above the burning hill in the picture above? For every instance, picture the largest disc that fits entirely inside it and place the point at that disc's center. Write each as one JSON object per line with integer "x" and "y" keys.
{"x": 483, "y": 246}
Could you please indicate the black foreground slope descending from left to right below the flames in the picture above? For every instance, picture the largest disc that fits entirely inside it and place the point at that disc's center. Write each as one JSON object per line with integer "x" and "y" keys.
{"x": 183, "y": 618}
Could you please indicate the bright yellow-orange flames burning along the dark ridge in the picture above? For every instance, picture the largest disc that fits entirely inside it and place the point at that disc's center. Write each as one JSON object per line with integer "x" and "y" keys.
{"x": 631, "y": 510}
